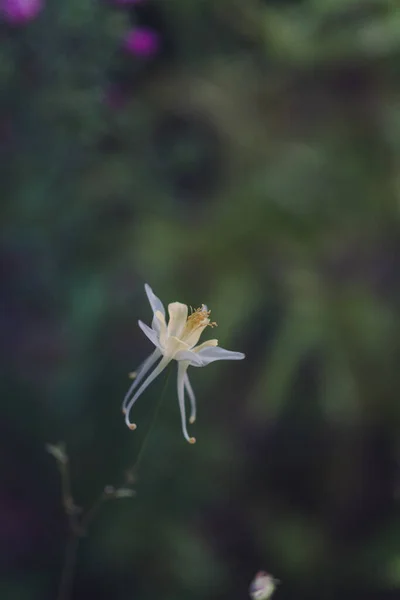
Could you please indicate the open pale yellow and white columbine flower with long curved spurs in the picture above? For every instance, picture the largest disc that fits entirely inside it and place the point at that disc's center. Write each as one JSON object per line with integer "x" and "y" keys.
{"x": 176, "y": 341}
